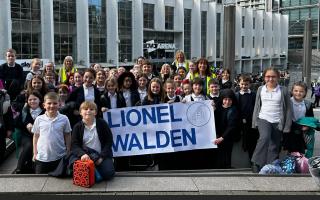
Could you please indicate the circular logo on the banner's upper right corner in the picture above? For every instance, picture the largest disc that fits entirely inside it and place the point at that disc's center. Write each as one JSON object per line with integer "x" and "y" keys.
{"x": 198, "y": 114}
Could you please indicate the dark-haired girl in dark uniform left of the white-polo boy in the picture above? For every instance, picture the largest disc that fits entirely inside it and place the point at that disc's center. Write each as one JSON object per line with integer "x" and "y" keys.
{"x": 28, "y": 115}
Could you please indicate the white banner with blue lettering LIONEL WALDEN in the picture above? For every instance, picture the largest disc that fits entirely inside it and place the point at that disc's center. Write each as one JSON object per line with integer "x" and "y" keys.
{"x": 161, "y": 128}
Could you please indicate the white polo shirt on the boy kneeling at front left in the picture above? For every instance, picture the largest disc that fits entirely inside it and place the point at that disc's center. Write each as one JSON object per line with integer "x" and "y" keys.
{"x": 51, "y": 145}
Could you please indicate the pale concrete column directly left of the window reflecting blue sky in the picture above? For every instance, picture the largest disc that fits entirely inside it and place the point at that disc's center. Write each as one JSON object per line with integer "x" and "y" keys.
{"x": 82, "y": 32}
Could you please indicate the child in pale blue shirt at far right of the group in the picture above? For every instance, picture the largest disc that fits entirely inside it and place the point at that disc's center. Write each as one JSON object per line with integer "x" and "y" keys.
{"x": 294, "y": 140}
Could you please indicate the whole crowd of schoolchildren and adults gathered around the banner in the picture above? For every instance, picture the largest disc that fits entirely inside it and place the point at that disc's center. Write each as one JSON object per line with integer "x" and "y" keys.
{"x": 53, "y": 113}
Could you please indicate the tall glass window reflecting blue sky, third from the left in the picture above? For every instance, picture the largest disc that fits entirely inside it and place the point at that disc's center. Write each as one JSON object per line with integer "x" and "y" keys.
{"x": 97, "y": 31}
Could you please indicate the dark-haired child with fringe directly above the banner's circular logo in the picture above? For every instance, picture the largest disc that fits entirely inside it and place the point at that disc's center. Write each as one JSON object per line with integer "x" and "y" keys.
{"x": 197, "y": 91}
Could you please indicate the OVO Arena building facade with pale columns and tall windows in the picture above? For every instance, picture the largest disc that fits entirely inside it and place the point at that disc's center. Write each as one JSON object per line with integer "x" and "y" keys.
{"x": 116, "y": 32}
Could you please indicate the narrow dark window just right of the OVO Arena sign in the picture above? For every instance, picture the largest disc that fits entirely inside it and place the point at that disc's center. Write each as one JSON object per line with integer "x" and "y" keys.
{"x": 187, "y": 33}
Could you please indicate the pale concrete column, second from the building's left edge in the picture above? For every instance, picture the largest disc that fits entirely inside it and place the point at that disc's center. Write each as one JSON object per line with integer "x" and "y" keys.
{"x": 47, "y": 31}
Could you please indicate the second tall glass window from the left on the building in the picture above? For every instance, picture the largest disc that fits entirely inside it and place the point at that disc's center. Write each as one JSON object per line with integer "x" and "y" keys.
{"x": 64, "y": 29}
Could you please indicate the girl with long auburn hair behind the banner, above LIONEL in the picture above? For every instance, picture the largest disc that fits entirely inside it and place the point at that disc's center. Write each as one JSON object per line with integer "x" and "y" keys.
{"x": 155, "y": 93}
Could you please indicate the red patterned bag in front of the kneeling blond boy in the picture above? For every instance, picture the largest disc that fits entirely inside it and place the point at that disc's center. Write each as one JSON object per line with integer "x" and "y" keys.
{"x": 83, "y": 173}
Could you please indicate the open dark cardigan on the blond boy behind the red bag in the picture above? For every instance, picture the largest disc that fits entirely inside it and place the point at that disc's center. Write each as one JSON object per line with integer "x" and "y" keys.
{"x": 104, "y": 134}
